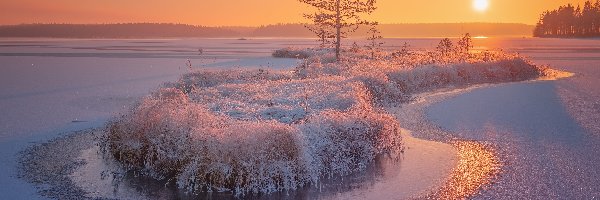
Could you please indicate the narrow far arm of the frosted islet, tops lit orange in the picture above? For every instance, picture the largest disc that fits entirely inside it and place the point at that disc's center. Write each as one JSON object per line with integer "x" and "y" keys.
{"x": 393, "y": 77}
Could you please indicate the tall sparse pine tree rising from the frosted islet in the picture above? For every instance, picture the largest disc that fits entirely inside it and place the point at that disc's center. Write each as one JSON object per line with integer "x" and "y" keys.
{"x": 345, "y": 16}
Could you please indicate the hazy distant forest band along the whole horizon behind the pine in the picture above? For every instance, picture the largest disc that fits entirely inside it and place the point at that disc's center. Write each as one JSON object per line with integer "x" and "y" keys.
{"x": 165, "y": 30}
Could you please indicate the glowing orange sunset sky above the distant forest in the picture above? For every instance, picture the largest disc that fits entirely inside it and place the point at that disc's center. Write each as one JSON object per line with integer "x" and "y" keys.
{"x": 260, "y": 12}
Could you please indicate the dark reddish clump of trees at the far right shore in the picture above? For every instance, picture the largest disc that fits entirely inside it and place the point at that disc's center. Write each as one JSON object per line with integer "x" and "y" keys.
{"x": 570, "y": 21}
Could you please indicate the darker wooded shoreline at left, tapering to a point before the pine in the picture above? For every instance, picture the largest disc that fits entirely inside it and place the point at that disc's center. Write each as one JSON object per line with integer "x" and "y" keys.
{"x": 125, "y": 30}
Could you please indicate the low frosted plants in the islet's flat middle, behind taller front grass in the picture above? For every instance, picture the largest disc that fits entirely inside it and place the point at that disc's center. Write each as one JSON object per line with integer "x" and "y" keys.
{"x": 287, "y": 101}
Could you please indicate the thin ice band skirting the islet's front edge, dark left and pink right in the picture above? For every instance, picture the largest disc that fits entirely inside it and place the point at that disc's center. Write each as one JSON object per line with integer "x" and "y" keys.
{"x": 423, "y": 169}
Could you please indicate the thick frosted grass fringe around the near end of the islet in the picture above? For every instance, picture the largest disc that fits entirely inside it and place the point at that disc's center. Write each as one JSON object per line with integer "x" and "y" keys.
{"x": 168, "y": 130}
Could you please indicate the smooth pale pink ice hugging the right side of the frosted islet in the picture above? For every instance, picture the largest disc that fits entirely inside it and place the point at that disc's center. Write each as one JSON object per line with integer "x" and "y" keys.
{"x": 424, "y": 167}
